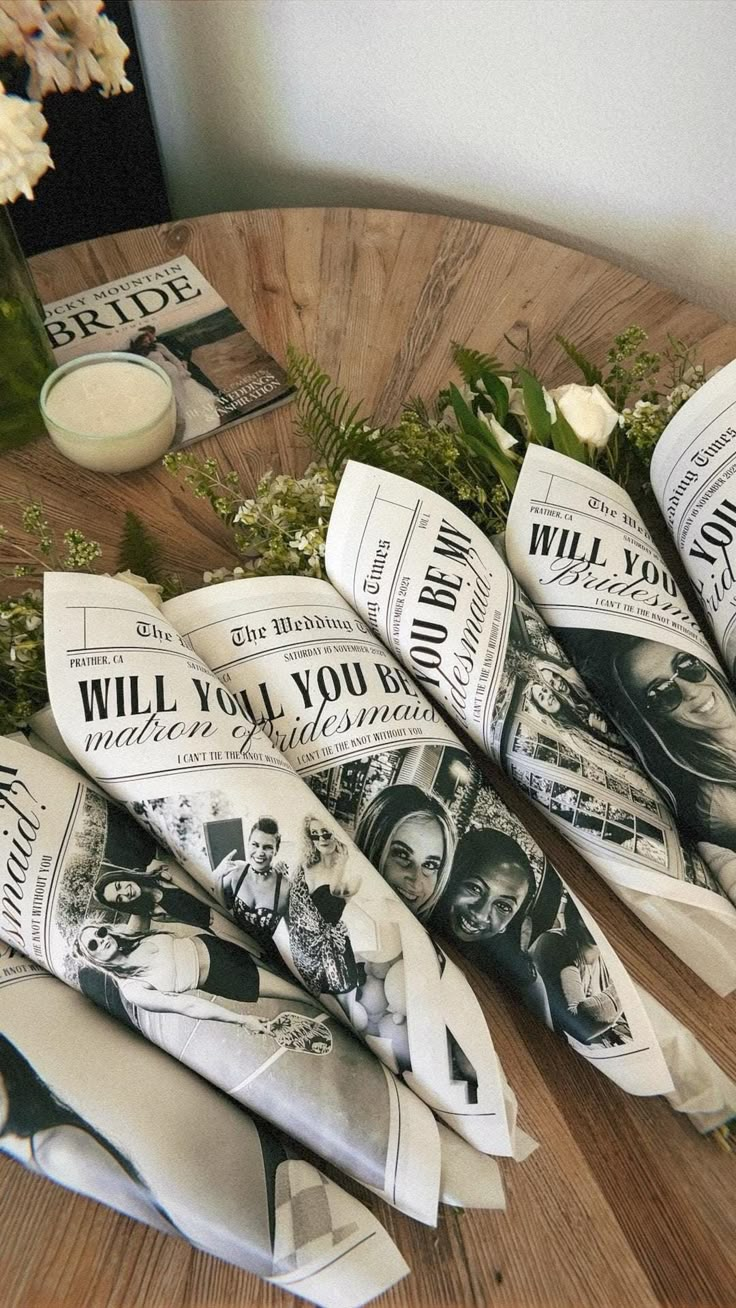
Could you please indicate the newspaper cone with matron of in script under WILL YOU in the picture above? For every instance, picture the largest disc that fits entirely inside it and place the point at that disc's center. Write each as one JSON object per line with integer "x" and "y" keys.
{"x": 151, "y": 723}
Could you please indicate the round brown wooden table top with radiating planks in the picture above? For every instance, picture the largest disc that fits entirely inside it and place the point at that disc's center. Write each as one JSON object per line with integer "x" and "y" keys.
{"x": 624, "y": 1205}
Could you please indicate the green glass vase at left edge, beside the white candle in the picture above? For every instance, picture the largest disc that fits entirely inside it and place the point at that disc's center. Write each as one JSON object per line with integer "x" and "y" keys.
{"x": 25, "y": 355}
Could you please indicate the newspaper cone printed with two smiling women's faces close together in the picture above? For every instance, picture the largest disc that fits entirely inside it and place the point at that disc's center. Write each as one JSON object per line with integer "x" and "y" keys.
{"x": 382, "y": 761}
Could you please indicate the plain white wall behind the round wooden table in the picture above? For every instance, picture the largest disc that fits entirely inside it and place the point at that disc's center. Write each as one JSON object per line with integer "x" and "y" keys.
{"x": 606, "y": 125}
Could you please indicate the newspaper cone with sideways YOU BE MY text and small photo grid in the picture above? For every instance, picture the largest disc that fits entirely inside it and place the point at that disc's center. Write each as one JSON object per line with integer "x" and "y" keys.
{"x": 446, "y": 604}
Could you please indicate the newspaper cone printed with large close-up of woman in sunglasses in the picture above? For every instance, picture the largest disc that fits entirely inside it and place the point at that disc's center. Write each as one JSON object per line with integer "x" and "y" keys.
{"x": 580, "y": 547}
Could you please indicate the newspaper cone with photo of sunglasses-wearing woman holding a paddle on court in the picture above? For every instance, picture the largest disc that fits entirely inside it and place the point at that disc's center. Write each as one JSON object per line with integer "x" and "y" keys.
{"x": 88, "y": 897}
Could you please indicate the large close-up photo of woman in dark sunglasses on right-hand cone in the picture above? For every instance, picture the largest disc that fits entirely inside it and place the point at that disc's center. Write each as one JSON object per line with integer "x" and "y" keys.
{"x": 684, "y": 725}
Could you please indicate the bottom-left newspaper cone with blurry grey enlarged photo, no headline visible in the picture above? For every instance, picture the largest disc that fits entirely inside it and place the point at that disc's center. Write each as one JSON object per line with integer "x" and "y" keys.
{"x": 150, "y": 1139}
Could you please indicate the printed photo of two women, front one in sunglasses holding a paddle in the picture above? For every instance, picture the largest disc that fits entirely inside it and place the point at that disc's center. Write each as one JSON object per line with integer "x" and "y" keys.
{"x": 152, "y": 942}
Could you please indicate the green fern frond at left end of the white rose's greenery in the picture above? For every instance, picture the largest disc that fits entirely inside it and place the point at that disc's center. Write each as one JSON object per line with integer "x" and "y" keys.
{"x": 331, "y": 423}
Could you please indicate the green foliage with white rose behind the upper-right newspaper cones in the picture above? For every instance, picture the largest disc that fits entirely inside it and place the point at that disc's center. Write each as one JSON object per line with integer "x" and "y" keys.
{"x": 470, "y": 444}
